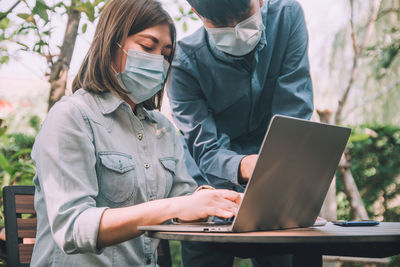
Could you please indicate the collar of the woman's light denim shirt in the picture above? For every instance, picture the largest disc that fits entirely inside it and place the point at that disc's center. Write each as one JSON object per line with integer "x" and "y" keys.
{"x": 108, "y": 103}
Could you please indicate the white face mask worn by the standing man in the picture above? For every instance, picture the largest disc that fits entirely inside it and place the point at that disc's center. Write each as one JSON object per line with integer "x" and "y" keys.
{"x": 239, "y": 40}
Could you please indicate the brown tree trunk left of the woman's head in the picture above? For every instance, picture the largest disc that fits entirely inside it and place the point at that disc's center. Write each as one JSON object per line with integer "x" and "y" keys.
{"x": 59, "y": 70}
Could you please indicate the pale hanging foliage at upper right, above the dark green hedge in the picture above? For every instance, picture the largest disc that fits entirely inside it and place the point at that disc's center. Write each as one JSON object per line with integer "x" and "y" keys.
{"x": 378, "y": 63}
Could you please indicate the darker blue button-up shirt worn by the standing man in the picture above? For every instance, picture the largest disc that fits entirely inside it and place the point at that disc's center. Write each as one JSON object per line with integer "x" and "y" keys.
{"x": 223, "y": 104}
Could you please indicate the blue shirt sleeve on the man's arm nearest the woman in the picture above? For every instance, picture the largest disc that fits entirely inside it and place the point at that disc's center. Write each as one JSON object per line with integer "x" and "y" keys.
{"x": 209, "y": 148}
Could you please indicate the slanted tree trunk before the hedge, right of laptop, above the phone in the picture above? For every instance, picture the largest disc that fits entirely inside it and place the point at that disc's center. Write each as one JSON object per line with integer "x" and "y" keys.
{"x": 358, "y": 210}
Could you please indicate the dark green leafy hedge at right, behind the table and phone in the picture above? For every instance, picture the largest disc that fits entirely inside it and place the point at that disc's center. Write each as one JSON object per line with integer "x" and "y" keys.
{"x": 375, "y": 165}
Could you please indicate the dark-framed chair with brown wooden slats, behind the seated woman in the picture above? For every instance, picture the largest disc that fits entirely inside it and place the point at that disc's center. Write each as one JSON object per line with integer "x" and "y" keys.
{"x": 18, "y": 200}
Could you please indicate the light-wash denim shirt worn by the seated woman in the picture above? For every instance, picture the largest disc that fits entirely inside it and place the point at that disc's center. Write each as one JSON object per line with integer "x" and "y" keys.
{"x": 94, "y": 153}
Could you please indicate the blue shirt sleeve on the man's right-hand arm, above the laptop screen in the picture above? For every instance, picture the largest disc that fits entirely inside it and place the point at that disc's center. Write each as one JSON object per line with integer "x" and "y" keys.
{"x": 293, "y": 94}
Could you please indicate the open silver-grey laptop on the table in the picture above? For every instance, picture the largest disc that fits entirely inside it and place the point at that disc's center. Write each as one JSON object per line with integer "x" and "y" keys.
{"x": 295, "y": 167}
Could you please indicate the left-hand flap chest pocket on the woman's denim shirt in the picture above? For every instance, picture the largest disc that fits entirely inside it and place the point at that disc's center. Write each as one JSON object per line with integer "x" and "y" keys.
{"x": 118, "y": 177}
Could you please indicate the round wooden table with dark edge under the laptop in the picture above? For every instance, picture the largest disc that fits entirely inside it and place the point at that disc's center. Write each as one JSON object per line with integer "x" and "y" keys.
{"x": 306, "y": 244}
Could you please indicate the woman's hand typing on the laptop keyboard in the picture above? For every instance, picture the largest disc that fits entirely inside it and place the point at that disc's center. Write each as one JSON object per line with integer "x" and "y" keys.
{"x": 221, "y": 203}
